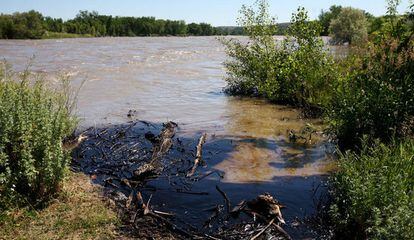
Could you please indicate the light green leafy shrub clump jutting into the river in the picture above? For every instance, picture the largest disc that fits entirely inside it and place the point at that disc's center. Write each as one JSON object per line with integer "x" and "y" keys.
{"x": 295, "y": 71}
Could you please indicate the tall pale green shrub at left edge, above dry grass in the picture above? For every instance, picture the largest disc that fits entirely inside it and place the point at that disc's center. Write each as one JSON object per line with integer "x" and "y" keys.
{"x": 34, "y": 119}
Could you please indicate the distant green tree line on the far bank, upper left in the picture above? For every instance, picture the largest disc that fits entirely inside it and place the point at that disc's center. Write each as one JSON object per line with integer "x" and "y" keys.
{"x": 33, "y": 25}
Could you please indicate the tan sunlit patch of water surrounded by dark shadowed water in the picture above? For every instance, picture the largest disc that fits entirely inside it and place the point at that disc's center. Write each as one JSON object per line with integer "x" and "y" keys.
{"x": 248, "y": 163}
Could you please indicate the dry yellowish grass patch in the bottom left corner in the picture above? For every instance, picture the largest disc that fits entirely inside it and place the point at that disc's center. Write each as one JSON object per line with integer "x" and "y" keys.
{"x": 78, "y": 213}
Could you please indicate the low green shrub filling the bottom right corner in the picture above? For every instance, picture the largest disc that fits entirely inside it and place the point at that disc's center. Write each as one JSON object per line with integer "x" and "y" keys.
{"x": 373, "y": 193}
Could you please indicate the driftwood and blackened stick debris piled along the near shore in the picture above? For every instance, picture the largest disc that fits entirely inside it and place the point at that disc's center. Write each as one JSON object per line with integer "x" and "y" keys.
{"x": 124, "y": 158}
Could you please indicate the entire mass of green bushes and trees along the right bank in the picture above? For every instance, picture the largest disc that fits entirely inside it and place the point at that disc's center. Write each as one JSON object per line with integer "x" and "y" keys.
{"x": 366, "y": 98}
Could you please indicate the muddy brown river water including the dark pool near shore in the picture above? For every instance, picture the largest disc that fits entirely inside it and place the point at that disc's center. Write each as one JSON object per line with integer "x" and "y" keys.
{"x": 181, "y": 79}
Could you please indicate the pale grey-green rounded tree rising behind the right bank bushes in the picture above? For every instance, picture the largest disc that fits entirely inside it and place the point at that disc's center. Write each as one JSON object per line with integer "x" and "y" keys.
{"x": 350, "y": 26}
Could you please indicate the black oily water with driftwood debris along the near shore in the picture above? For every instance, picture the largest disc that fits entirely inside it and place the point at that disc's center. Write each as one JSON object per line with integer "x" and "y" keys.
{"x": 188, "y": 198}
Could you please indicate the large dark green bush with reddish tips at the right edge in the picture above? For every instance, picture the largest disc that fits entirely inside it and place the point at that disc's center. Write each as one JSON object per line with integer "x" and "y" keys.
{"x": 376, "y": 96}
